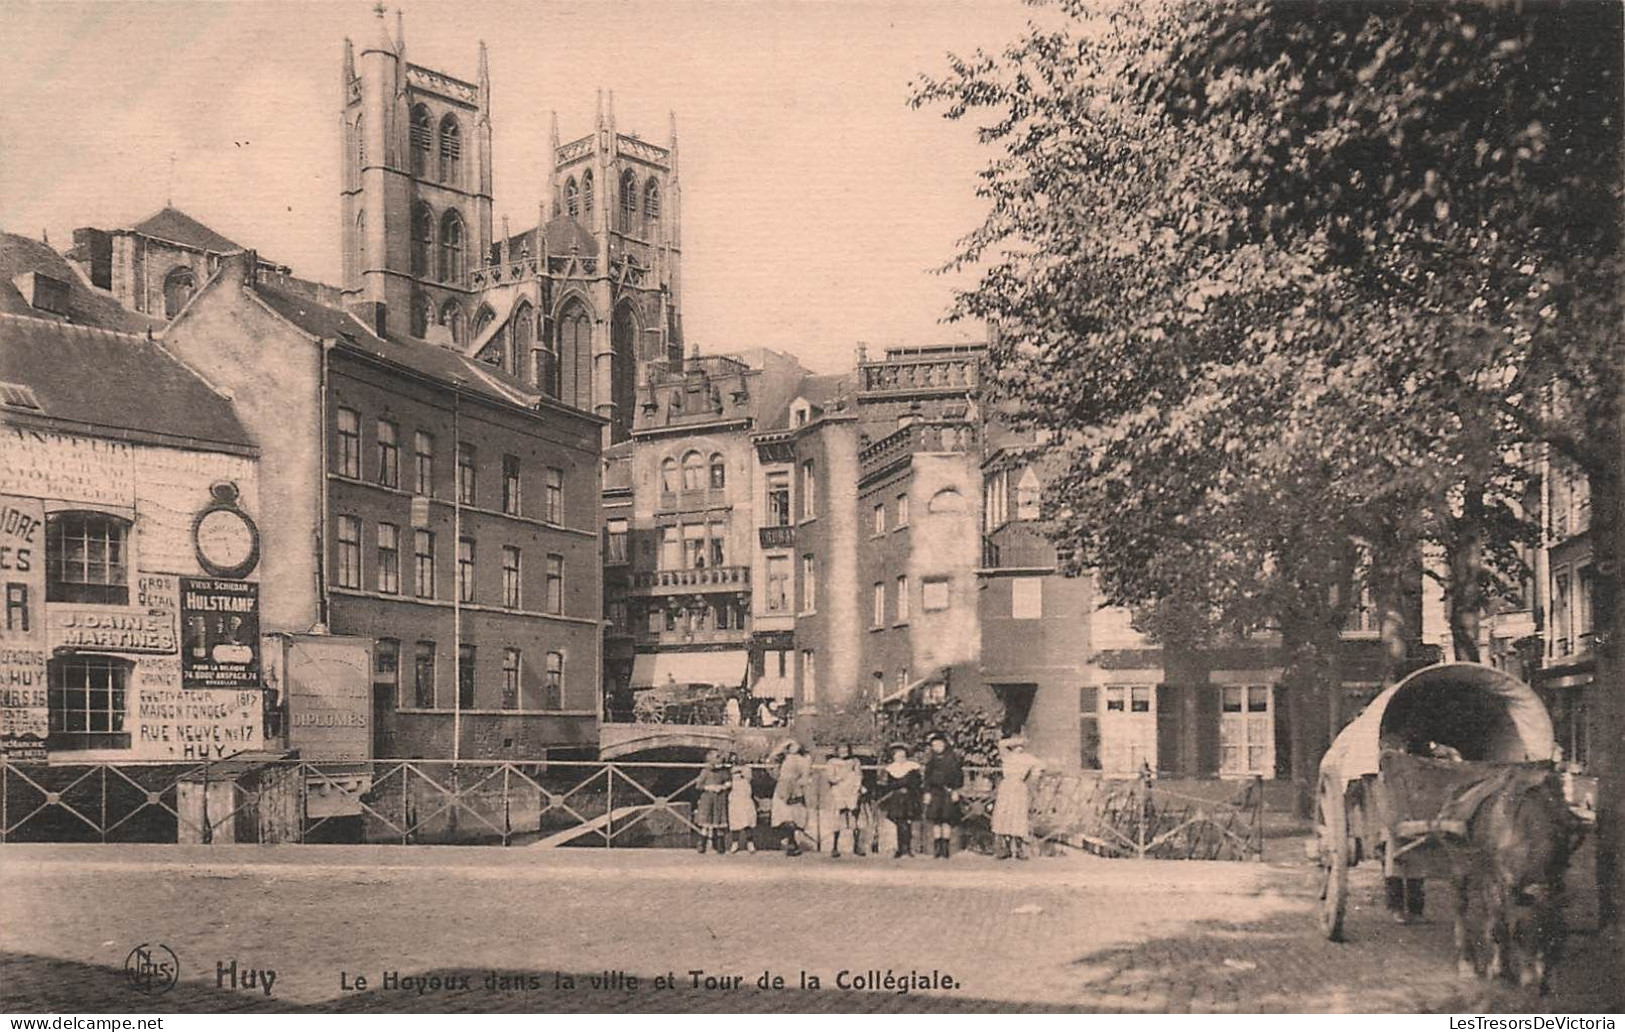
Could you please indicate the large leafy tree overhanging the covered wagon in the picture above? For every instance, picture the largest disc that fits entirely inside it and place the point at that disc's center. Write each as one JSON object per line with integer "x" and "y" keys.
{"x": 1288, "y": 277}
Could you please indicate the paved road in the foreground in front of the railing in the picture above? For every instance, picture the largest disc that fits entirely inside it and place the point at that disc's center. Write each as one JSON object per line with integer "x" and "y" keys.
{"x": 1062, "y": 934}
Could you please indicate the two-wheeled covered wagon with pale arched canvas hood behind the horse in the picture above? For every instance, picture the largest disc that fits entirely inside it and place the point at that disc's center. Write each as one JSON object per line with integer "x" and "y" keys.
{"x": 1397, "y": 784}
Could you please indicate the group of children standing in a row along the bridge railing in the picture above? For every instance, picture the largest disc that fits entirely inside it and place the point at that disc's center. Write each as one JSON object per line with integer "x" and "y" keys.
{"x": 851, "y": 802}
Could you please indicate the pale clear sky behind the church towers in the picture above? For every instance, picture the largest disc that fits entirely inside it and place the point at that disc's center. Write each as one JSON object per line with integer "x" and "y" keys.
{"x": 817, "y": 204}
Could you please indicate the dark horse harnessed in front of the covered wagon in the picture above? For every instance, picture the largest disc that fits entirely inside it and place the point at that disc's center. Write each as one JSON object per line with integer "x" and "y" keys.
{"x": 1520, "y": 836}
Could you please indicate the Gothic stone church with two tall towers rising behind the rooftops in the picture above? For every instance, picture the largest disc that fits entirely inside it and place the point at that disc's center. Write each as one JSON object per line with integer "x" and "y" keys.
{"x": 579, "y": 305}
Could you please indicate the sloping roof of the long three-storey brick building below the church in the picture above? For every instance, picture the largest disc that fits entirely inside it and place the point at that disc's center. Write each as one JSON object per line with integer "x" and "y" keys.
{"x": 435, "y": 362}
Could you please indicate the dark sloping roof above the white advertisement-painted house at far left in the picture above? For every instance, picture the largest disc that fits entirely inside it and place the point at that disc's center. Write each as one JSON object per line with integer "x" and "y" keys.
{"x": 113, "y": 381}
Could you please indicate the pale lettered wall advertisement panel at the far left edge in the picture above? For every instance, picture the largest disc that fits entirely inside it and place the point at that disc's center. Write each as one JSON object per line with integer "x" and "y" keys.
{"x": 25, "y": 716}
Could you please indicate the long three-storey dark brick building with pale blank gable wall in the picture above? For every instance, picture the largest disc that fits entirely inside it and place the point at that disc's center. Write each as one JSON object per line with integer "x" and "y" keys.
{"x": 427, "y": 501}
